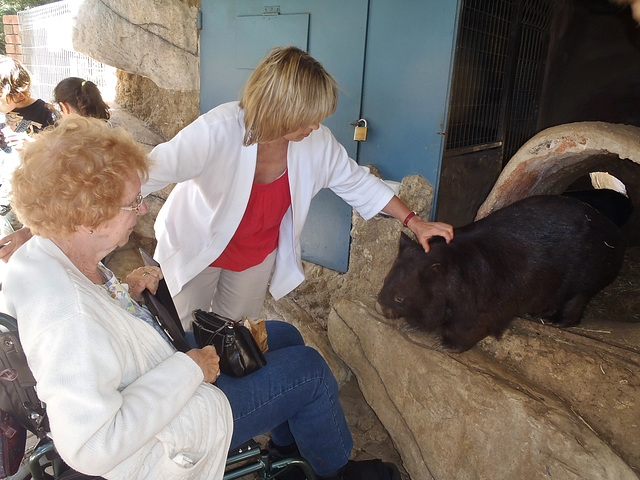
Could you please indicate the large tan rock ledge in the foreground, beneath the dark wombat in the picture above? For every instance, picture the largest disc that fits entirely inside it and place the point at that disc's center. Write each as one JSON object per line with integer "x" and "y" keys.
{"x": 478, "y": 416}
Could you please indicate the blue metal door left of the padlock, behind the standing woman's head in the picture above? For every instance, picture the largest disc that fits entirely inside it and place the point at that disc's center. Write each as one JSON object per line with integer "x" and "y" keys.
{"x": 236, "y": 34}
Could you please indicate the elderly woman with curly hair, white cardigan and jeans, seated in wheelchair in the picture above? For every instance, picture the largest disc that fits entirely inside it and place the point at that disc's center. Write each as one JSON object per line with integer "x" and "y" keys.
{"x": 122, "y": 402}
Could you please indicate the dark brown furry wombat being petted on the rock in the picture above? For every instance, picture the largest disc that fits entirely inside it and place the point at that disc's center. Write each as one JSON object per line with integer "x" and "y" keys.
{"x": 543, "y": 256}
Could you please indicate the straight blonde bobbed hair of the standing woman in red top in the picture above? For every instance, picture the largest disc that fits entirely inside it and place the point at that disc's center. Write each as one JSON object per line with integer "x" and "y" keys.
{"x": 288, "y": 90}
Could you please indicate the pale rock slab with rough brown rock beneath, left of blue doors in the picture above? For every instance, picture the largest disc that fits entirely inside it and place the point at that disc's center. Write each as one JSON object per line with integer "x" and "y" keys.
{"x": 155, "y": 46}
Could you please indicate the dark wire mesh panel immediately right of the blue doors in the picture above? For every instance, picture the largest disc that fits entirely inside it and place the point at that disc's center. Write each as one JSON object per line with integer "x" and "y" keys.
{"x": 498, "y": 74}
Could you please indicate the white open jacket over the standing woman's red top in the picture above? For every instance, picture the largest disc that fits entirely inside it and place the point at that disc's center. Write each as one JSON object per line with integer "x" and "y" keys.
{"x": 214, "y": 172}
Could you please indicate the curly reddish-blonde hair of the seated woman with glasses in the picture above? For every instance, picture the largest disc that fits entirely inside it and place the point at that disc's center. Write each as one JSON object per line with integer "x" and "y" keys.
{"x": 74, "y": 174}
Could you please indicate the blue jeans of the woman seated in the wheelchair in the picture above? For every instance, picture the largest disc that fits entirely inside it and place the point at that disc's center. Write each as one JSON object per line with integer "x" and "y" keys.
{"x": 295, "y": 397}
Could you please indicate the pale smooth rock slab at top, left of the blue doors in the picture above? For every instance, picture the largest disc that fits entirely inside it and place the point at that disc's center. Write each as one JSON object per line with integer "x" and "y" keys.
{"x": 154, "y": 38}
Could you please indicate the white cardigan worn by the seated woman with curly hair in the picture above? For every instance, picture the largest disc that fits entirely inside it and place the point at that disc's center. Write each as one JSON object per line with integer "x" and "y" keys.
{"x": 122, "y": 402}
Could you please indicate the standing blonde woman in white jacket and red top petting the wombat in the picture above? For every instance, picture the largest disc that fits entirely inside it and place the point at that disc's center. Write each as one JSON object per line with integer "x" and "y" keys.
{"x": 274, "y": 134}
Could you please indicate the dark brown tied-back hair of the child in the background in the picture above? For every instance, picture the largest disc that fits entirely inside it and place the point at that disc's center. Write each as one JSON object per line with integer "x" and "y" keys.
{"x": 76, "y": 95}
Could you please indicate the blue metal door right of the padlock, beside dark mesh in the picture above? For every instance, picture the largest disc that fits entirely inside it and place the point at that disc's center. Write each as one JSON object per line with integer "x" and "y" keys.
{"x": 409, "y": 59}
